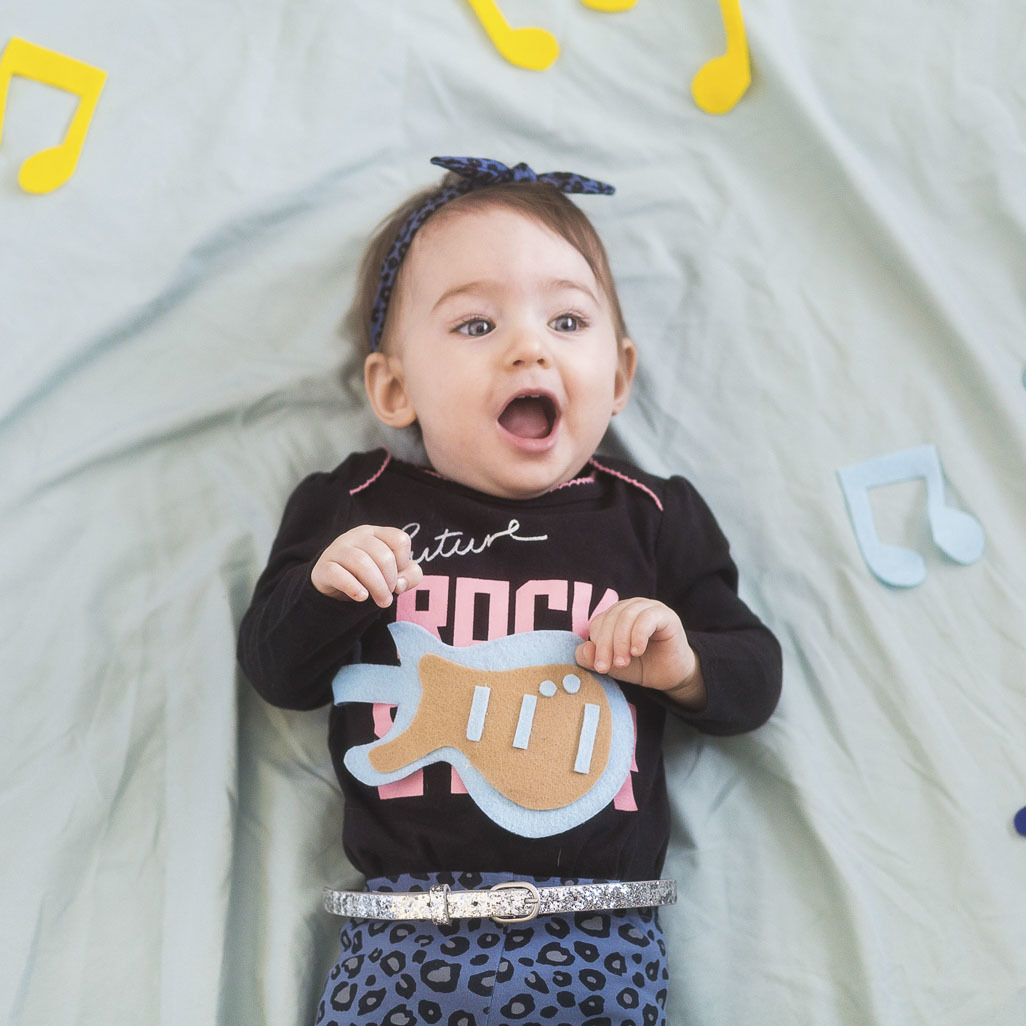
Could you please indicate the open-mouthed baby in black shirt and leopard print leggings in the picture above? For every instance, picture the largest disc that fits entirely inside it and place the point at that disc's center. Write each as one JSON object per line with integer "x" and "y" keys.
{"x": 492, "y": 323}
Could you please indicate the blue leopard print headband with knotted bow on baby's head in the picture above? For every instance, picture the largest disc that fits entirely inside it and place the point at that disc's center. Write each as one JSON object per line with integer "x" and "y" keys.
{"x": 477, "y": 173}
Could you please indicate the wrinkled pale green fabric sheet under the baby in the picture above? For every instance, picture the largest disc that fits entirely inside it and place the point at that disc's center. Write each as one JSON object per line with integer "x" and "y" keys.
{"x": 831, "y": 272}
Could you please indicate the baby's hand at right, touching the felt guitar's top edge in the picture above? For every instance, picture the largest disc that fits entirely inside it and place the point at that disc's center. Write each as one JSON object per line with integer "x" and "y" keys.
{"x": 643, "y": 642}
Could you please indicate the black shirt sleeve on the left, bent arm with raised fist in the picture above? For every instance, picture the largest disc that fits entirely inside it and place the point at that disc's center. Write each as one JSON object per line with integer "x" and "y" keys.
{"x": 293, "y": 640}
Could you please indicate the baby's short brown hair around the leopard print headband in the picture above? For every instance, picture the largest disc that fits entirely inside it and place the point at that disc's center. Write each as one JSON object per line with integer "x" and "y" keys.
{"x": 541, "y": 203}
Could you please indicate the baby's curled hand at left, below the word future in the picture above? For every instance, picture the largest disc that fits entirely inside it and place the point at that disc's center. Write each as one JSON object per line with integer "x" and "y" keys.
{"x": 368, "y": 562}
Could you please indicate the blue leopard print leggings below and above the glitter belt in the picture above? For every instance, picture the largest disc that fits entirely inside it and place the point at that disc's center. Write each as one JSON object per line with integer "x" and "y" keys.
{"x": 585, "y": 969}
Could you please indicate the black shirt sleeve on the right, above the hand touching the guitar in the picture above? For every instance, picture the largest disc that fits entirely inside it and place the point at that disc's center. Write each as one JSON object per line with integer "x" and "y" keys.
{"x": 740, "y": 657}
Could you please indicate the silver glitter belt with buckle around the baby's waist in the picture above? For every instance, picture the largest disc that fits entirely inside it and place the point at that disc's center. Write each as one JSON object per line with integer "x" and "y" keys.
{"x": 518, "y": 901}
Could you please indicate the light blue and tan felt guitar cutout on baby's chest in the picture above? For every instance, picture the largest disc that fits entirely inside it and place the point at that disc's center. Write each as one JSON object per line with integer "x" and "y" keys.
{"x": 541, "y": 744}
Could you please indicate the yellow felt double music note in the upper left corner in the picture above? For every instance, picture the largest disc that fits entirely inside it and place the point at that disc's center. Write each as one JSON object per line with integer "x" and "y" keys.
{"x": 51, "y": 169}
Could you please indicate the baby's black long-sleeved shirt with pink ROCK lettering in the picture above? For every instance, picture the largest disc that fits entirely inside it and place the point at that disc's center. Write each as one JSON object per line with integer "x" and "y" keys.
{"x": 495, "y": 567}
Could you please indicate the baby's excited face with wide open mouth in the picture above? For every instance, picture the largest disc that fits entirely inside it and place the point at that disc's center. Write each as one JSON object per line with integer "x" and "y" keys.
{"x": 508, "y": 352}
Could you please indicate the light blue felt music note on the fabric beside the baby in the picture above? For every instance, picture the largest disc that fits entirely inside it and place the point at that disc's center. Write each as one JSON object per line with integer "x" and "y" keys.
{"x": 956, "y": 533}
